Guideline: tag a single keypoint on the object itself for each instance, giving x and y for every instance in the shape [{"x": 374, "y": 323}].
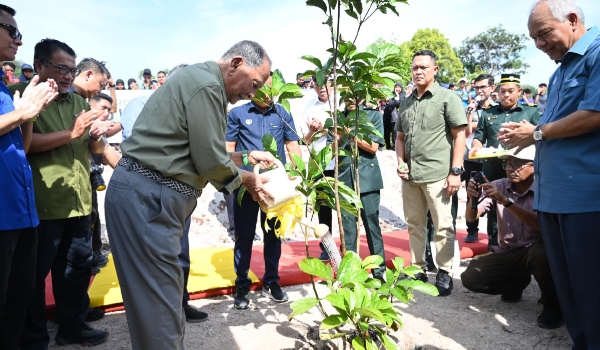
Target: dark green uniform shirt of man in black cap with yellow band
[{"x": 489, "y": 126}]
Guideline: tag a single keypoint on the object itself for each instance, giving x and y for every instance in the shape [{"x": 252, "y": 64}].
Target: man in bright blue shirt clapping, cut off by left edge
[{"x": 18, "y": 215}]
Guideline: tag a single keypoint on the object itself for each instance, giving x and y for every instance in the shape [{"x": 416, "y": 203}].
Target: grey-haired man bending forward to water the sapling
[{"x": 176, "y": 147}]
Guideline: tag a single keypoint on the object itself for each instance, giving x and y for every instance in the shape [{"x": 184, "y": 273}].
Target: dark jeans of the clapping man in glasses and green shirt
[{"x": 65, "y": 247}]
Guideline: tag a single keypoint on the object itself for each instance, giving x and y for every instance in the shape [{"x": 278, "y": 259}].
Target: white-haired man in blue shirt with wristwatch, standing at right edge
[{"x": 567, "y": 167}]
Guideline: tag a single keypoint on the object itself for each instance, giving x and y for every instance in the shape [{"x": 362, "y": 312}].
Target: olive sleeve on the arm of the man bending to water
[{"x": 207, "y": 148}]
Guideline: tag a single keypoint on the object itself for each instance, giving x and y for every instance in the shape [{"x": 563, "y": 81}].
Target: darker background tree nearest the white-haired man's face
[{"x": 494, "y": 51}]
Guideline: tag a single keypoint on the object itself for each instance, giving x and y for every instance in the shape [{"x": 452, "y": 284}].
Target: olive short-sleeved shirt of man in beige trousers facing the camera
[{"x": 426, "y": 124}]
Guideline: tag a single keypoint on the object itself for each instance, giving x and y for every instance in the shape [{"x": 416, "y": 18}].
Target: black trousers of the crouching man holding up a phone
[{"x": 510, "y": 273}]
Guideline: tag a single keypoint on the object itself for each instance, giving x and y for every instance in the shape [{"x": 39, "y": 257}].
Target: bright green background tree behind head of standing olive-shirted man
[{"x": 451, "y": 67}]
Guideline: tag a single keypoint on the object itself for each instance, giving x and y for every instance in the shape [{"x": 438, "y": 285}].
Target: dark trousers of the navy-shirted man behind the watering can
[{"x": 245, "y": 225}]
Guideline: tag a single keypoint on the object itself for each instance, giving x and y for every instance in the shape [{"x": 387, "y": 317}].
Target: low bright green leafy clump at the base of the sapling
[{"x": 362, "y": 302}]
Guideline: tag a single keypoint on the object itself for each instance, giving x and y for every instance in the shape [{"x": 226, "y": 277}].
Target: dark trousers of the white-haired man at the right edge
[{"x": 572, "y": 243}]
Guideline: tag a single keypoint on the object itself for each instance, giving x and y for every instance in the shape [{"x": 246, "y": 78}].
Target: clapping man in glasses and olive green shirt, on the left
[{"x": 63, "y": 137}]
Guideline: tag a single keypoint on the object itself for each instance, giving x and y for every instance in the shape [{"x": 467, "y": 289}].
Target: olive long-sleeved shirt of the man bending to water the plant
[{"x": 181, "y": 130}]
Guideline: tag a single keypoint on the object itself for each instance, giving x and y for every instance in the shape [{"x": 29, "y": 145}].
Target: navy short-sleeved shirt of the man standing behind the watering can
[{"x": 246, "y": 126}]
